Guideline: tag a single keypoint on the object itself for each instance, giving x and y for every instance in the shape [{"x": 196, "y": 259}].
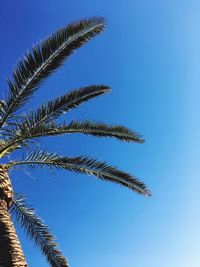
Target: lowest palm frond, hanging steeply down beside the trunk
[{"x": 34, "y": 227}]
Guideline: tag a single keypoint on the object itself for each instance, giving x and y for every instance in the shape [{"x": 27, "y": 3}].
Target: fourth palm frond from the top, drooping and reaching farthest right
[{"x": 84, "y": 165}]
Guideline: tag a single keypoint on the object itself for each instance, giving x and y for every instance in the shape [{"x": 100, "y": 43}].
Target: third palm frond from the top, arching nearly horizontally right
[{"x": 28, "y": 132}]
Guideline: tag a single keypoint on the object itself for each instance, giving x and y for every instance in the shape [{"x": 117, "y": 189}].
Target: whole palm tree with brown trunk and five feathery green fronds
[{"x": 19, "y": 131}]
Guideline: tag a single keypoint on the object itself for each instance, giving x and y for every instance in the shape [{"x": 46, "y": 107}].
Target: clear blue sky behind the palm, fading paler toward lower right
[{"x": 150, "y": 56}]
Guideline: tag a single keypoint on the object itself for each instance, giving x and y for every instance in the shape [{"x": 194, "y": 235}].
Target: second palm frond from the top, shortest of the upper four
[{"x": 35, "y": 121}]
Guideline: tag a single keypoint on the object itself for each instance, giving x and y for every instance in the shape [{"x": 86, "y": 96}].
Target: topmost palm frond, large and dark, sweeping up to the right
[{"x": 44, "y": 59}]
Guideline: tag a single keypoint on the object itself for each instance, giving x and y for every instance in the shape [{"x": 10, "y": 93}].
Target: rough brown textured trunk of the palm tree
[{"x": 11, "y": 254}]
